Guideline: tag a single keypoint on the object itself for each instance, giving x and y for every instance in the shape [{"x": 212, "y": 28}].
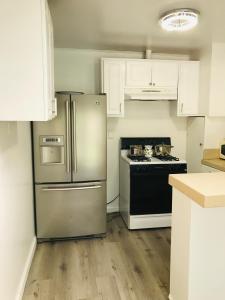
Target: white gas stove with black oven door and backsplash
[{"x": 145, "y": 195}]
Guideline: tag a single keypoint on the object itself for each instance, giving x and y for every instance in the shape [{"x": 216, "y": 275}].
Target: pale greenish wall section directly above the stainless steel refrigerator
[{"x": 79, "y": 70}]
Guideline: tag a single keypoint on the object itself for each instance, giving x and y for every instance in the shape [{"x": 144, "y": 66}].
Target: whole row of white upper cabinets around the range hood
[{"x": 119, "y": 75}]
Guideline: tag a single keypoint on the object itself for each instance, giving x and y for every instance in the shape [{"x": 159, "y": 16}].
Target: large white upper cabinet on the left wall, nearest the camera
[{"x": 26, "y": 59}]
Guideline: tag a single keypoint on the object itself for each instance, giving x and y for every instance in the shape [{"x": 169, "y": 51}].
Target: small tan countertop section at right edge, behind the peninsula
[{"x": 211, "y": 159}]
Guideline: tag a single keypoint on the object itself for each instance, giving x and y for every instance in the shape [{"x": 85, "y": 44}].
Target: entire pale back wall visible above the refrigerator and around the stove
[{"x": 79, "y": 70}]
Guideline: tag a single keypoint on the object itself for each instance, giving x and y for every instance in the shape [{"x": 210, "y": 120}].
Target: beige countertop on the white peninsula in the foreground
[{"x": 206, "y": 189}]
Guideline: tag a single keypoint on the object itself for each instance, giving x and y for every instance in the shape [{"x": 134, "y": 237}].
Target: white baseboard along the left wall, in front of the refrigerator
[{"x": 27, "y": 266}]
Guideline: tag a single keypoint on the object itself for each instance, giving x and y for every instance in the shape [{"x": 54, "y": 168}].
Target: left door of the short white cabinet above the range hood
[{"x": 138, "y": 73}]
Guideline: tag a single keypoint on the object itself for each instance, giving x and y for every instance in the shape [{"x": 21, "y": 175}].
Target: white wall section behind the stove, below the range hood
[{"x": 143, "y": 119}]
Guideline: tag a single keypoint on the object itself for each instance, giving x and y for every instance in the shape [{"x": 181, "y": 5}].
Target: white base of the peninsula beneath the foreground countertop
[{"x": 197, "y": 264}]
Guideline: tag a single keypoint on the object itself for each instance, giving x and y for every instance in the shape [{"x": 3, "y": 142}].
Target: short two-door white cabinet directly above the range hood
[{"x": 148, "y": 73}]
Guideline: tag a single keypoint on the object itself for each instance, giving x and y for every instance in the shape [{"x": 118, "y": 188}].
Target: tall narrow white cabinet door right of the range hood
[{"x": 188, "y": 89}]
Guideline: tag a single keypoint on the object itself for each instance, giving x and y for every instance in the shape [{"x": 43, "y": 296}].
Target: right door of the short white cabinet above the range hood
[{"x": 165, "y": 73}]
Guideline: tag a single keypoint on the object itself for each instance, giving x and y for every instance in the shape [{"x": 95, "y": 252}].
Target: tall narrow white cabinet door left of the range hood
[{"x": 113, "y": 77}]
